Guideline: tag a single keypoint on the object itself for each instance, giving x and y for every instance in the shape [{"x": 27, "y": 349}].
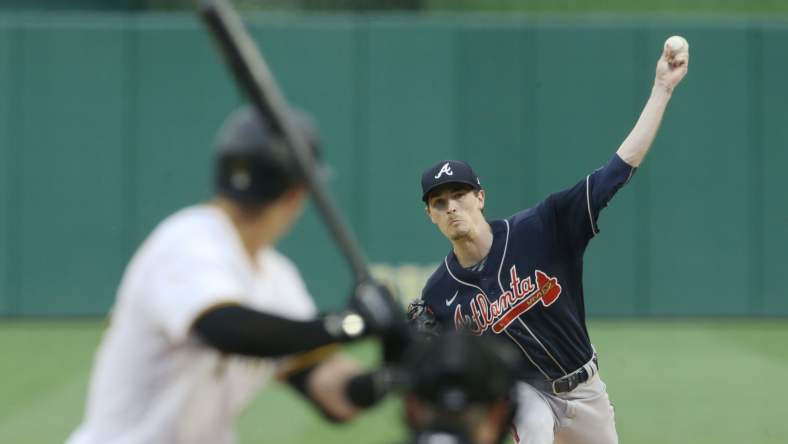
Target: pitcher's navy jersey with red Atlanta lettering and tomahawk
[{"x": 530, "y": 288}]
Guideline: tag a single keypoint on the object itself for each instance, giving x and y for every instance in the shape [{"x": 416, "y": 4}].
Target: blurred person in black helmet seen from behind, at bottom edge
[{"x": 460, "y": 390}]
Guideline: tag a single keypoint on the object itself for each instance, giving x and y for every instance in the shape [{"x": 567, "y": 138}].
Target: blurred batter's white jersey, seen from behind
[{"x": 152, "y": 381}]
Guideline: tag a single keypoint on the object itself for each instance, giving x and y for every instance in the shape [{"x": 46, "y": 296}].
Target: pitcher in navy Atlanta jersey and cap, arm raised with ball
[{"x": 520, "y": 278}]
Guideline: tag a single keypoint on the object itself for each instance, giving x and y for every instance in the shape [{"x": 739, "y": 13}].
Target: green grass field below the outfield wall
[{"x": 685, "y": 381}]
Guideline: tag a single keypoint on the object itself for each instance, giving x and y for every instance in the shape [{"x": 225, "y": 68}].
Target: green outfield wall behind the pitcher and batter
[{"x": 107, "y": 123}]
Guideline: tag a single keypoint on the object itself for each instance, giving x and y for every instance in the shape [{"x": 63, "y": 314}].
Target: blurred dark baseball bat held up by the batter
[{"x": 259, "y": 85}]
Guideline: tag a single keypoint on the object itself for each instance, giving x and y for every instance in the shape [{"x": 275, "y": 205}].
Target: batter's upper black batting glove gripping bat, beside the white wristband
[{"x": 383, "y": 316}]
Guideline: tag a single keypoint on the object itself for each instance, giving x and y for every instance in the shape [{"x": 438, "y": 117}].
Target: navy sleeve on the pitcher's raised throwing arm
[{"x": 577, "y": 209}]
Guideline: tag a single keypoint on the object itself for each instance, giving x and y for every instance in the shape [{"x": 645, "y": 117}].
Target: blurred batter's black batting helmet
[{"x": 253, "y": 165}]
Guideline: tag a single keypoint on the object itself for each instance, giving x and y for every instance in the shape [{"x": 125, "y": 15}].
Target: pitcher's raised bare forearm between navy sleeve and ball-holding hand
[{"x": 638, "y": 142}]
